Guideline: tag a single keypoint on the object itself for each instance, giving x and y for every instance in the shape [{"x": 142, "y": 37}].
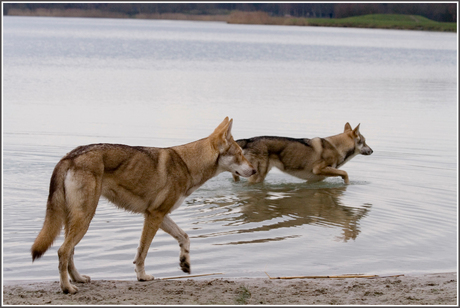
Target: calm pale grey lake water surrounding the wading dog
[{"x": 74, "y": 81}]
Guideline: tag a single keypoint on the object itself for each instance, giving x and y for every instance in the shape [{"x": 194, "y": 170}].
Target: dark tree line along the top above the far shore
[{"x": 443, "y": 12}]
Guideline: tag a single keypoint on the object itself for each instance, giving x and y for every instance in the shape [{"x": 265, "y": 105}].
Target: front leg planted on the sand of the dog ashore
[{"x": 152, "y": 222}]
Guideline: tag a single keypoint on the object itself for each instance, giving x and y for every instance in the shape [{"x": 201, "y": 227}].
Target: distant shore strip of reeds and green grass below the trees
[{"x": 379, "y": 21}]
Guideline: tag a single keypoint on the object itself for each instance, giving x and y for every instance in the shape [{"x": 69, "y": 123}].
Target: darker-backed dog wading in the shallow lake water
[{"x": 309, "y": 159}]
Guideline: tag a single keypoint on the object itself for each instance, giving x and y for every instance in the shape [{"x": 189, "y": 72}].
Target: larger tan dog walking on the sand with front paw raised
[{"x": 146, "y": 180}]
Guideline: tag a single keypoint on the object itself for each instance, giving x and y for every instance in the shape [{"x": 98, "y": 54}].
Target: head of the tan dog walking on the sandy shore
[{"x": 231, "y": 156}]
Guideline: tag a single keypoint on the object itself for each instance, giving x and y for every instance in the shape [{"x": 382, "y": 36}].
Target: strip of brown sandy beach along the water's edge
[{"x": 427, "y": 289}]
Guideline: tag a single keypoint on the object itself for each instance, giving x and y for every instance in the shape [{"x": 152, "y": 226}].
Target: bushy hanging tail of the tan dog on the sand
[{"x": 55, "y": 212}]
